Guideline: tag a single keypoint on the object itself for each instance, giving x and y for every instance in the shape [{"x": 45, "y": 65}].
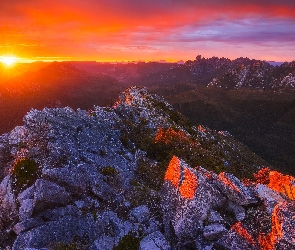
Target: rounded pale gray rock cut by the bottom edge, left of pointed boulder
[{"x": 154, "y": 241}]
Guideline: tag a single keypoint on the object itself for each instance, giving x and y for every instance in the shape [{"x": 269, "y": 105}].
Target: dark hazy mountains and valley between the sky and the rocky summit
[{"x": 256, "y": 112}]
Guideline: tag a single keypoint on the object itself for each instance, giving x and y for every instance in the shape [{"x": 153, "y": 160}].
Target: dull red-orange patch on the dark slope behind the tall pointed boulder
[{"x": 169, "y": 134}]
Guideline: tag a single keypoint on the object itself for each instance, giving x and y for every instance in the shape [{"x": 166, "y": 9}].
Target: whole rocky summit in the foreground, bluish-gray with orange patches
[{"x": 137, "y": 176}]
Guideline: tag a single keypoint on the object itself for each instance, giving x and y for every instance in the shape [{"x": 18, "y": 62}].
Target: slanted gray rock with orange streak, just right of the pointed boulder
[{"x": 234, "y": 189}]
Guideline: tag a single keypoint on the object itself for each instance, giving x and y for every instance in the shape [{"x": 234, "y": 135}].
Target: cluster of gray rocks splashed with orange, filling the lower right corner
[{"x": 190, "y": 213}]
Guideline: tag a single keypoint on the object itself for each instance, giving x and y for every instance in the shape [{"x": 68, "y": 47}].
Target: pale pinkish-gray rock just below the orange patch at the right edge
[{"x": 270, "y": 197}]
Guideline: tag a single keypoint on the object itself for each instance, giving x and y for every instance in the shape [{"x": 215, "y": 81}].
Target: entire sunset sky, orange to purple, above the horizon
[{"x": 117, "y": 30}]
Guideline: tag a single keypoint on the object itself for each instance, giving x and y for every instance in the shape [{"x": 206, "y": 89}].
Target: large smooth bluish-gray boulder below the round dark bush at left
[{"x": 49, "y": 195}]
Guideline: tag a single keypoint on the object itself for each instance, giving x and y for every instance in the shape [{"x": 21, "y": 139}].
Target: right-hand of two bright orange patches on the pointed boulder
[{"x": 189, "y": 185}]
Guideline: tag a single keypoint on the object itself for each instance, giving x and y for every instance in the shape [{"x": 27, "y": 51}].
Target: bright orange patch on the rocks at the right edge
[{"x": 284, "y": 184}]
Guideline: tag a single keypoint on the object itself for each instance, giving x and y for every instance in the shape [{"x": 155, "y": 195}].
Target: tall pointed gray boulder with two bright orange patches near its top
[{"x": 188, "y": 196}]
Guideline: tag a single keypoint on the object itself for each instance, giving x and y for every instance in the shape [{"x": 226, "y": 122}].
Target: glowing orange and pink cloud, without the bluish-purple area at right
[{"x": 85, "y": 29}]
